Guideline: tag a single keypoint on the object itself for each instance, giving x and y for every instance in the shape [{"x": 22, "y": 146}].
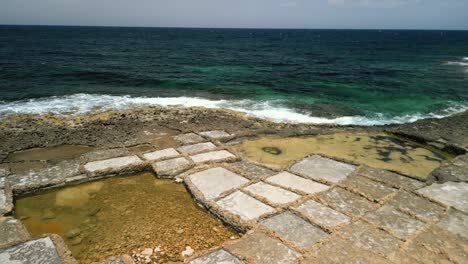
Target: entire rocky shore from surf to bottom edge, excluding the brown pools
[{"x": 193, "y": 145}]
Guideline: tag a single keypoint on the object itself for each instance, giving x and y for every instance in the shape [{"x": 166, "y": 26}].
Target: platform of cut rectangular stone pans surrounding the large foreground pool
[{"x": 316, "y": 209}]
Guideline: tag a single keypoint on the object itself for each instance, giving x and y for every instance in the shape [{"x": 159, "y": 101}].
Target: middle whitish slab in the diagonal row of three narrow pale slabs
[{"x": 273, "y": 194}]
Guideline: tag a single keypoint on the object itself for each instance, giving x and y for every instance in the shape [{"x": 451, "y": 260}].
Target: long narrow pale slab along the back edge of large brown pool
[{"x": 112, "y": 165}]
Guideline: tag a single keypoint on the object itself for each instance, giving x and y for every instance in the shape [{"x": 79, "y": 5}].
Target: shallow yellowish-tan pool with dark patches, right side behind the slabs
[{"x": 375, "y": 150}]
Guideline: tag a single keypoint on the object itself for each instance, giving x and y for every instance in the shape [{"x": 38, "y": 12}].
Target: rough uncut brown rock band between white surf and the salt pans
[{"x": 123, "y": 128}]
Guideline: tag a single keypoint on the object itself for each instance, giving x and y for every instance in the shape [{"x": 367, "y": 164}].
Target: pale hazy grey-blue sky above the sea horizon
[{"x": 348, "y": 14}]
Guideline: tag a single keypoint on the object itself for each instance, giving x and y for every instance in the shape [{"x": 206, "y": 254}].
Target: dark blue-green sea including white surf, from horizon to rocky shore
[{"x": 338, "y": 76}]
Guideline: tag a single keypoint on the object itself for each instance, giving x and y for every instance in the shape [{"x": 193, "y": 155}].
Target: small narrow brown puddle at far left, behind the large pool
[{"x": 49, "y": 153}]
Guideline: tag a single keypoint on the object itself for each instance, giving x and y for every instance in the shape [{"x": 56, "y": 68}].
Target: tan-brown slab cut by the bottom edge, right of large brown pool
[{"x": 263, "y": 249}]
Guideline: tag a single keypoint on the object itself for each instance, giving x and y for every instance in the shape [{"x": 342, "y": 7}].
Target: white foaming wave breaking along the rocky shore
[{"x": 85, "y": 103}]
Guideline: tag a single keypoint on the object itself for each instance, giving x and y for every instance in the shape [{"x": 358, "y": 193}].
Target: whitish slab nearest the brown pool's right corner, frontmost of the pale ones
[{"x": 244, "y": 206}]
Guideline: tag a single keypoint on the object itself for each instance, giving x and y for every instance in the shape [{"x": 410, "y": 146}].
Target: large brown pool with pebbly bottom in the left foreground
[{"x": 119, "y": 215}]
